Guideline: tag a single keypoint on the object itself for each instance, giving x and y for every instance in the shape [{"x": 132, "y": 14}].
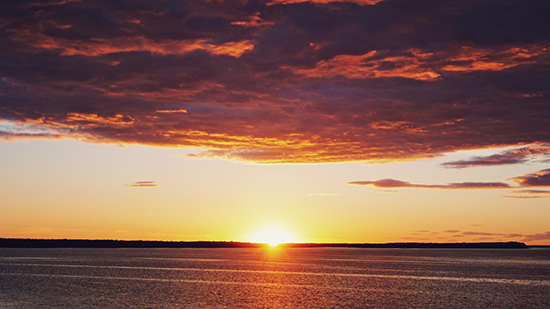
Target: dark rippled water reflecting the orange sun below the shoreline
[{"x": 274, "y": 278}]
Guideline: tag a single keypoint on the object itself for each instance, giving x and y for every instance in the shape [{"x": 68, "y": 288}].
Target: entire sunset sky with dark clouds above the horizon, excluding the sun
[{"x": 331, "y": 121}]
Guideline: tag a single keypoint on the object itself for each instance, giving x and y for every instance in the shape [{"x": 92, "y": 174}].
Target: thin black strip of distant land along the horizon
[{"x": 109, "y": 243}]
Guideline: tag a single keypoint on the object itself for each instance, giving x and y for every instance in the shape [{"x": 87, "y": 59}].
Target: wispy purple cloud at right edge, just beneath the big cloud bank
[{"x": 508, "y": 157}]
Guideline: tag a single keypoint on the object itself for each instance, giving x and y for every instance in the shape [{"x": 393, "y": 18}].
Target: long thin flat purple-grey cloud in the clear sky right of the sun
[{"x": 392, "y": 183}]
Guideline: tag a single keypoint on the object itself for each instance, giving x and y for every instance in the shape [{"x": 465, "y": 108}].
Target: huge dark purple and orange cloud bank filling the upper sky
[{"x": 280, "y": 81}]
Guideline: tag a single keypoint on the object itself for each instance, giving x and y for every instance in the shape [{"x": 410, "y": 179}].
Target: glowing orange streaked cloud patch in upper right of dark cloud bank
[{"x": 424, "y": 66}]
